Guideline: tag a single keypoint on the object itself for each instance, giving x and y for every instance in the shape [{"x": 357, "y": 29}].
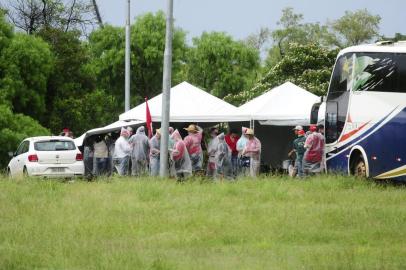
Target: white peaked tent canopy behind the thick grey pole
[{"x": 188, "y": 104}]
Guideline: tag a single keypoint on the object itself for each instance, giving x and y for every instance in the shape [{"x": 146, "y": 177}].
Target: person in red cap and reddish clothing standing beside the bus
[{"x": 313, "y": 156}]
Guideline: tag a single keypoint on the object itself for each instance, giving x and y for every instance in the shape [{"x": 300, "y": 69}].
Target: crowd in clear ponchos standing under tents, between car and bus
[{"x": 227, "y": 156}]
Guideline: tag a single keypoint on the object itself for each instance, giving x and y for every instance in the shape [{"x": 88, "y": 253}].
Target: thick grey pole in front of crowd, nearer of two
[{"x": 166, "y": 88}]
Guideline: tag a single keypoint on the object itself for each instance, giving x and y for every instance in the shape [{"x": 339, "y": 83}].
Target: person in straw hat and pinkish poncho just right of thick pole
[{"x": 193, "y": 144}]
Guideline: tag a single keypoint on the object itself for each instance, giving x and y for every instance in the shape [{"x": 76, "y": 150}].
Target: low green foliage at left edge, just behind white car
[{"x": 13, "y": 129}]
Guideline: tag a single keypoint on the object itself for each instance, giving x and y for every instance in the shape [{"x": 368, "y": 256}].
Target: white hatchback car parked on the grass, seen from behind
[{"x": 48, "y": 156}]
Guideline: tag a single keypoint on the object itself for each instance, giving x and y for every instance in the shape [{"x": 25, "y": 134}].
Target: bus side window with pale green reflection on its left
[{"x": 374, "y": 72}]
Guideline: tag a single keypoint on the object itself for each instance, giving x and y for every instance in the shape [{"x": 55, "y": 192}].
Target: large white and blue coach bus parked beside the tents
[{"x": 365, "y": 112}]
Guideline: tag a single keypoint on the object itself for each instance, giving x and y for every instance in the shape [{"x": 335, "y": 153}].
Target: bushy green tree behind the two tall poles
[{"x": 147, "y": 48}]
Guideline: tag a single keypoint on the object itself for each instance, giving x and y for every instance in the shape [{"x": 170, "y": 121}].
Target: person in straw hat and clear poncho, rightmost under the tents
[{"x": 253, "y": 150}]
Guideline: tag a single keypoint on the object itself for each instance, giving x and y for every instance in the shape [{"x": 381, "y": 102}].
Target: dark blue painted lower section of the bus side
[{"x": 387, "y": 145}]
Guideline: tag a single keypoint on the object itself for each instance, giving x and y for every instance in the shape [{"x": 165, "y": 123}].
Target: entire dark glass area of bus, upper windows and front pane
[{"x": 361, "y": 71}]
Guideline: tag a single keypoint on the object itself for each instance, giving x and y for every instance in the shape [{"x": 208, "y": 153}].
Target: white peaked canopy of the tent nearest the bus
[{"x": 285, "y": 105}]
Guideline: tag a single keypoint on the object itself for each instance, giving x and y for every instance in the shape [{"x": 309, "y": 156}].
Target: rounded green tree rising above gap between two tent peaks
[{"x": 221, "y": 65}]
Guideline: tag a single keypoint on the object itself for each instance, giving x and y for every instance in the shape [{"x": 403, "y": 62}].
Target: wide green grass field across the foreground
[{"x": 329, "y": 222}]
